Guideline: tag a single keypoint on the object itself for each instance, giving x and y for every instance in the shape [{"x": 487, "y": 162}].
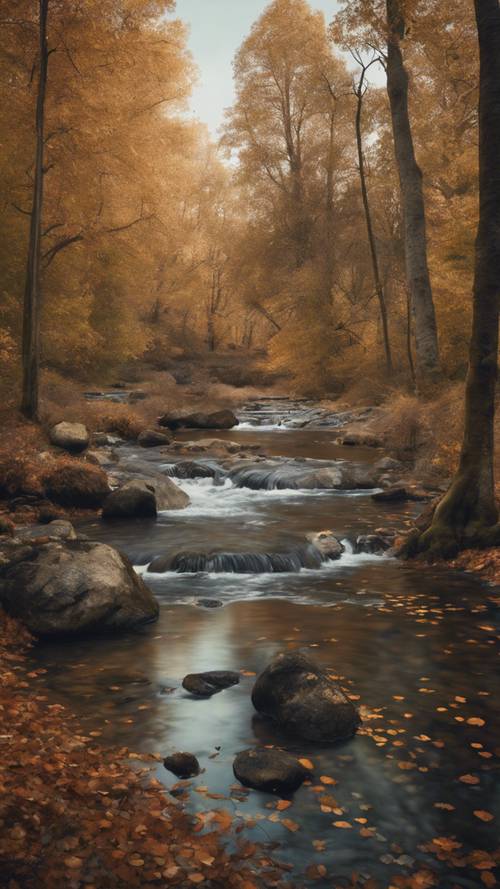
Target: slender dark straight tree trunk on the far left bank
[{"x": 31, "y": 313}]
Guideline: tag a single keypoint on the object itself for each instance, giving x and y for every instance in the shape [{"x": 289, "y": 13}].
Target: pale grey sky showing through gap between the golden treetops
[{"x": 218, "y": 27}]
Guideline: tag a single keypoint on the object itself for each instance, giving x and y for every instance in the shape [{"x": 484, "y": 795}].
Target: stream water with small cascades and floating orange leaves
[{"x": 417, "y": 648}]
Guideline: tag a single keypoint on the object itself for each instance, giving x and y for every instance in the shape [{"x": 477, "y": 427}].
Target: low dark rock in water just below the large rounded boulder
[{"x": 270, "y": 770}]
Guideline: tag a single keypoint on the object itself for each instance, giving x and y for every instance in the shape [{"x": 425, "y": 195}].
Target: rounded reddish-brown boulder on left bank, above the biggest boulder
[{"x": 76, "y": 484}]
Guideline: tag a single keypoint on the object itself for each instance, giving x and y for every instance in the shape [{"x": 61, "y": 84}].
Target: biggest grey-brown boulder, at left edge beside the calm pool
[{"x": 70, "y": 588}]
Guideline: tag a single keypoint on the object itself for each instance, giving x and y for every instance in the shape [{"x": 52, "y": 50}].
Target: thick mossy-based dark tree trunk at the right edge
[{"x": 468, "y": 514}]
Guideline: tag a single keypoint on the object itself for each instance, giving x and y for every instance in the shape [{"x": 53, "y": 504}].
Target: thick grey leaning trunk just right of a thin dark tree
[{"x": 412, "y": 199}]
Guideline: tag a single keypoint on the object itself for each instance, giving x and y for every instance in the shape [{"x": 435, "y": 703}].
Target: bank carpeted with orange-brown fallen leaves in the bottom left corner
[{"x": 74, "y": 813}]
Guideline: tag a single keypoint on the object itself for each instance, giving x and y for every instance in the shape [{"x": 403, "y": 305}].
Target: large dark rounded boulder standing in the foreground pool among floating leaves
[{"x": 302, "y": 698}]
